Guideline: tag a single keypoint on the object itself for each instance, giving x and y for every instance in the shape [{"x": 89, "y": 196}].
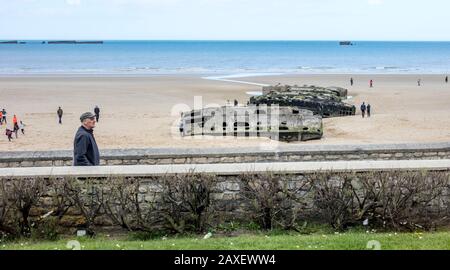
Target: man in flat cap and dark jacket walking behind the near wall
[{"x": 85, "y": 152}]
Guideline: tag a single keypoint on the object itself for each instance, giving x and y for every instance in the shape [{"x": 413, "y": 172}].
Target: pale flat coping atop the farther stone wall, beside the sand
[{"x": 109, "y": 154}]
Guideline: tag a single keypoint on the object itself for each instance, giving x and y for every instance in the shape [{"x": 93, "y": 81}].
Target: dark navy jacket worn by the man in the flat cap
[{"x": 85, "y": 150}]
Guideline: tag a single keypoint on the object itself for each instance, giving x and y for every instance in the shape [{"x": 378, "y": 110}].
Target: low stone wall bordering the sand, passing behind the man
[{"x": 284, "y": 153}]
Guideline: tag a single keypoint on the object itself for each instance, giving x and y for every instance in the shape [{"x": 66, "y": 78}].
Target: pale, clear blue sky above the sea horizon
[{"x": 415, "y": 20}]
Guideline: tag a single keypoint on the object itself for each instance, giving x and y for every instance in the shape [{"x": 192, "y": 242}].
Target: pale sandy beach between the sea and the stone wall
[{"x": 136, "y": 111}]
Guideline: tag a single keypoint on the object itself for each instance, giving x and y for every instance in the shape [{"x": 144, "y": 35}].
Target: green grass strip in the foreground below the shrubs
[{"x": 258, "y": 241}]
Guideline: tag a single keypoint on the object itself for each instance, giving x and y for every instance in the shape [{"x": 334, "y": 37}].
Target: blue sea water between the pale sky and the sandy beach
[{"x": 227, "y": 57}]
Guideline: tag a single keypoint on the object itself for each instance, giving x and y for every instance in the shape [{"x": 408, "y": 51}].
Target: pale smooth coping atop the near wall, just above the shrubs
[{"x": 225, "y": 169}]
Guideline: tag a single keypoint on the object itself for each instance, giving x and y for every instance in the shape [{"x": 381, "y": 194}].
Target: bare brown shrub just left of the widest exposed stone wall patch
[{"x": 186, "y": 204}]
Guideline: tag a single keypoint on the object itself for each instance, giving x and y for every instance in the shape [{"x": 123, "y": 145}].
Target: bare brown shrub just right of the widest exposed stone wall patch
[{"x": 270, "y": 199}]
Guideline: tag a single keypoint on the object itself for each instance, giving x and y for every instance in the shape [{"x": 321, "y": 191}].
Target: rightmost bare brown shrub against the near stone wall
[{"x": 410, "y": 200}]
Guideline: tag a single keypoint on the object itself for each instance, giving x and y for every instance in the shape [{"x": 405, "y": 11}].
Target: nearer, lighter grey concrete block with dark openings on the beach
[{"x": 277, "y": 123}]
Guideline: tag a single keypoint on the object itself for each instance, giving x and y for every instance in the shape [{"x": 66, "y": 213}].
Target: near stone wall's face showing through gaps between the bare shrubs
[{"x": 226, "y": 193}]
